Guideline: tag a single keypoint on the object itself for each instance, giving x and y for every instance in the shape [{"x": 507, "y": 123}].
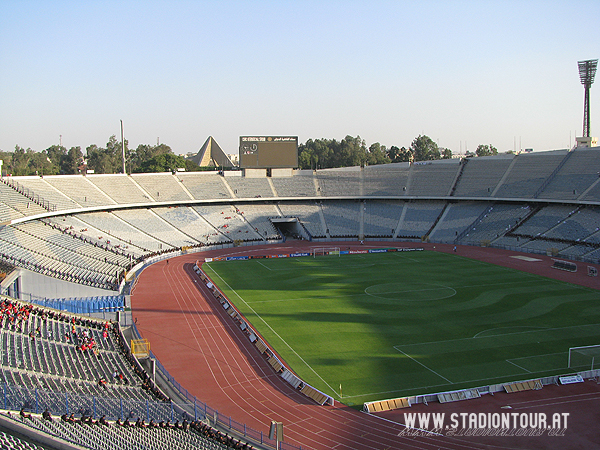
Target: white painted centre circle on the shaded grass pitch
[{"x": 410, "y": 291}]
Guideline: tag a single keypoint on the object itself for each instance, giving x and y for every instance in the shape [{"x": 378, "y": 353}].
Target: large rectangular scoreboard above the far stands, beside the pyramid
[{"x": 266, "y": 152}]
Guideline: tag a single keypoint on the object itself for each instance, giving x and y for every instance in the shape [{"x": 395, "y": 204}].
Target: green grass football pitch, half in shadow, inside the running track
[{"x": 387, "y": 325}]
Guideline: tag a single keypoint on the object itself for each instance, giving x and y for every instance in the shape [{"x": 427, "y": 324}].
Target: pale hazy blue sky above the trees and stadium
[{"x": 461, "y": 72}]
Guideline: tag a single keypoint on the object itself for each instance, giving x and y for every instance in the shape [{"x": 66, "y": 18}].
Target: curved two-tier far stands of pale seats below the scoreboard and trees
[{"x": 93, "y": 247}]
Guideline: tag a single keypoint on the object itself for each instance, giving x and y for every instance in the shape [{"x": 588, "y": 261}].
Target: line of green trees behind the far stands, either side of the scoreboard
[{"x": 313, "y": 154}]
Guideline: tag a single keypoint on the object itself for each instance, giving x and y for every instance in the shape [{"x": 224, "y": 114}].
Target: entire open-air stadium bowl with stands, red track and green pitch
[{"x": 163, "y": 297}]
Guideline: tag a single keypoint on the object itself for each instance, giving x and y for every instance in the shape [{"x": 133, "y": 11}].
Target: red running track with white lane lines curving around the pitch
[{"x": 199, "y": 344}]
